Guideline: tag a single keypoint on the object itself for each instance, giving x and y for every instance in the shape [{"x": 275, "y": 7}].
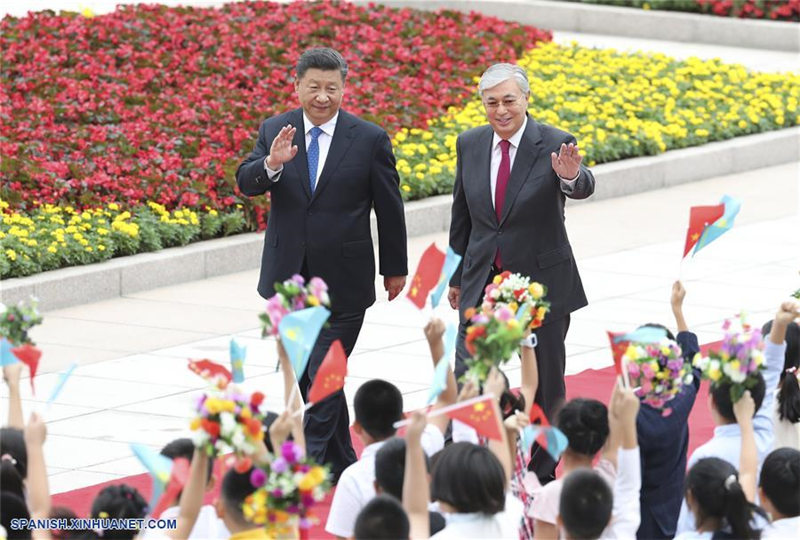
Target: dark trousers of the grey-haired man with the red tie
[{"x": 551, "y": 361}]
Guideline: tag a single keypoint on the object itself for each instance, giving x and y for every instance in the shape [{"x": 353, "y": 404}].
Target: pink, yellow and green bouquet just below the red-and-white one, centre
[{"x": 493, "y": 335}]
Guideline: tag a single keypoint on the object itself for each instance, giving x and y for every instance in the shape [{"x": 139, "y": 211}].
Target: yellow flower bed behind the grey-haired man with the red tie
[{"x": 618, "y": 105}]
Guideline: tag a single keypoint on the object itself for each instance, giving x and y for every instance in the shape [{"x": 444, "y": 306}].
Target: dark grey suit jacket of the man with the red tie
[{"x": 531, "y": 233}]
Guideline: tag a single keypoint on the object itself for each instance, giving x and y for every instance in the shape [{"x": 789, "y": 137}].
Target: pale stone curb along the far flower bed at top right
[{"x": 627, "y": 22}]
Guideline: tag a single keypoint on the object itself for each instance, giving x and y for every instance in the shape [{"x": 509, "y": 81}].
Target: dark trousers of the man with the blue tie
[{"x": 327, "y": 424}]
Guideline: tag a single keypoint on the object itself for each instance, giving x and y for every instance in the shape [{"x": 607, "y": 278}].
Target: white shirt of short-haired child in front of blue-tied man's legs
[{"x": 356, "y": 486}]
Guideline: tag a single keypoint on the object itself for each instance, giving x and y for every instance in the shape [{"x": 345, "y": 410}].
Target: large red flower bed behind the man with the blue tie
[{"x": 158, "y": 103}]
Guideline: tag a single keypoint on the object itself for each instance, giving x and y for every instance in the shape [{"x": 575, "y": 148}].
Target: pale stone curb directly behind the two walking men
[{"x": 125, "y": 275}]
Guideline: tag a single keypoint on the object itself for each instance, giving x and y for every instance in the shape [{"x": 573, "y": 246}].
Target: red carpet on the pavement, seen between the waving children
[{"x": 591, "y": 383}]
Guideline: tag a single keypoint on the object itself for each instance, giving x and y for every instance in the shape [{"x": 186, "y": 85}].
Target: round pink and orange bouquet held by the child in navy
[{"x": 659, "y": 371}]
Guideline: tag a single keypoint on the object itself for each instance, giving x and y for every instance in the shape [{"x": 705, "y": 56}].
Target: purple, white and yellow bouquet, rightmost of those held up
[{"x": 738, "y": 361}]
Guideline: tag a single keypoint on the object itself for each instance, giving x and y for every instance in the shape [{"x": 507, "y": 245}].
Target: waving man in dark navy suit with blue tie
[{"x": 325, "y": 170}]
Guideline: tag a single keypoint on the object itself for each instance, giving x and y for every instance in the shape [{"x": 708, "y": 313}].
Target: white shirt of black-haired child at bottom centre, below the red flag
[{"x": 504, "y": 524}]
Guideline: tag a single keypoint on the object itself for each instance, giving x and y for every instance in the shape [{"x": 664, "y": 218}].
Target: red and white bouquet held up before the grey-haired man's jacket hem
[{"x": 517, "y": 292}]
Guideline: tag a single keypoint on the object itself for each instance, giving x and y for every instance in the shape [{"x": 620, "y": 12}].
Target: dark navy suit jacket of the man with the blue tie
[{"x": 330, "y": 230}]
